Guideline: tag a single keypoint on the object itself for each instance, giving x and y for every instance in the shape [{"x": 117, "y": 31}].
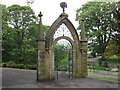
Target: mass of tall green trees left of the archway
[{"x": 19, "y": 30}]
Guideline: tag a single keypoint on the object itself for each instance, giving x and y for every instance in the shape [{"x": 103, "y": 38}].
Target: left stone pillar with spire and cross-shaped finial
[{"x": 41, "y": 52}]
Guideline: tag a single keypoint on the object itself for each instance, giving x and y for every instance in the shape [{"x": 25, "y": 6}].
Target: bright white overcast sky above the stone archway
[{"x": 50, "y": 8}]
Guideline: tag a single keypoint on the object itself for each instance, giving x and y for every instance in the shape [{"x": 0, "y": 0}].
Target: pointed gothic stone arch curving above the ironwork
[{"x": 63, "y": 18}]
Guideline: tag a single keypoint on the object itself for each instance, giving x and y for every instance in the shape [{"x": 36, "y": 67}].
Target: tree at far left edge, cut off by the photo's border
[{"x": 5, "y": 32}]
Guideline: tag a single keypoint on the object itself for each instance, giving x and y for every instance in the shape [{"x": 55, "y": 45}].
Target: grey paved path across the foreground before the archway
[{"x": 16, "y": 78}]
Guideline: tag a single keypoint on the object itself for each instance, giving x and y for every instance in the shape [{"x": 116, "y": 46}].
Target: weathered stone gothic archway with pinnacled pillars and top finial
[{"x": 45, "y": 62}]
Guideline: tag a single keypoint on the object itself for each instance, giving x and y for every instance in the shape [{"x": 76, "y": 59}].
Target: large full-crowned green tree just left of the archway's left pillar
[{"x": 21, "y": 37}]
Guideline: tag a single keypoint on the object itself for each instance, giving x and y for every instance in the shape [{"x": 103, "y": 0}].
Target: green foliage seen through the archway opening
[{"x": 62, "y": 57}]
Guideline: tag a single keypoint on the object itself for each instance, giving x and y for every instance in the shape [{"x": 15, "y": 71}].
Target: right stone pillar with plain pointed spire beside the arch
[{"x": 83, "y": 51}]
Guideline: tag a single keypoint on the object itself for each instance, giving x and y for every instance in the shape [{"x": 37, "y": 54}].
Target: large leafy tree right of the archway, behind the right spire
[{"x": 98, "y": 18}]
